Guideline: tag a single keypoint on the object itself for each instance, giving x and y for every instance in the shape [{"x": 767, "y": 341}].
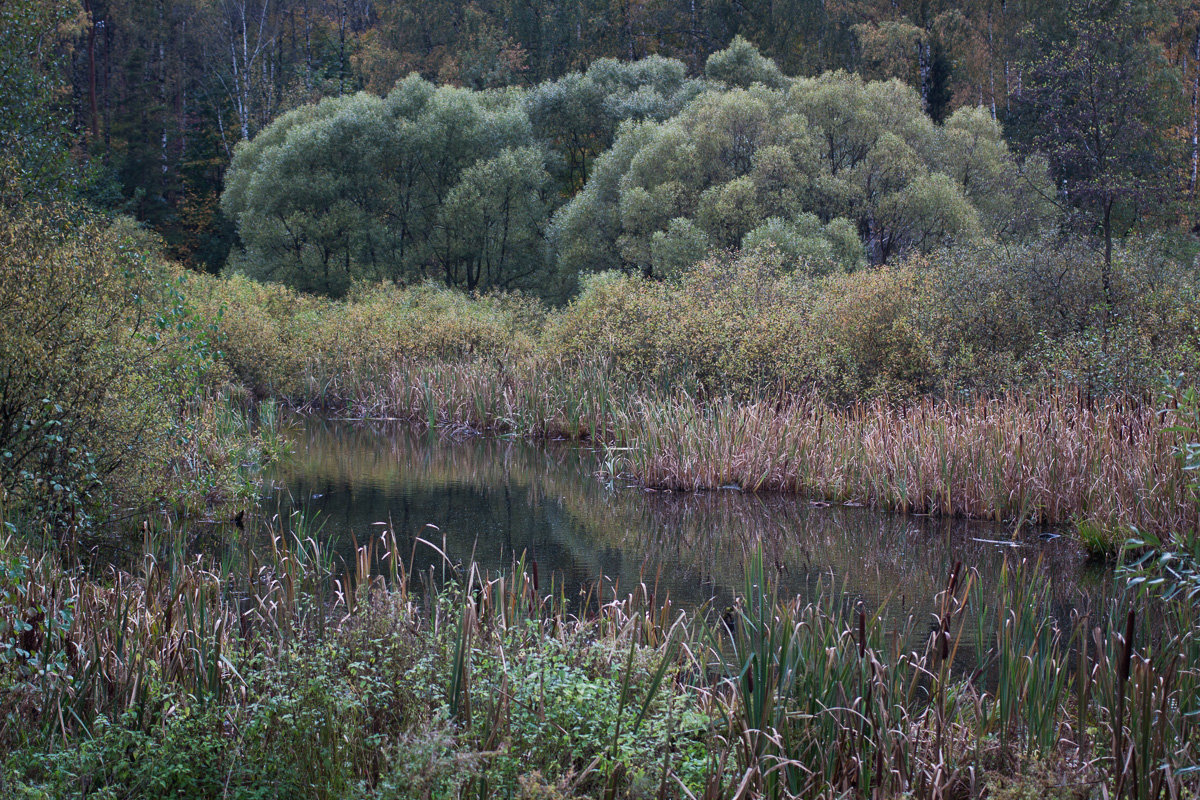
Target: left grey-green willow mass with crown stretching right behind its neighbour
[{"x": 429, "y": 182}]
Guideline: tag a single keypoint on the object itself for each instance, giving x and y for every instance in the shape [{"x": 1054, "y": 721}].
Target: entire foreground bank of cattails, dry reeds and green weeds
[{"x": 309, "y": 678}]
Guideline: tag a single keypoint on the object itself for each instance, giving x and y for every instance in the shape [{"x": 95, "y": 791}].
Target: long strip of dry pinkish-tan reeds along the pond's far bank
[{"x": 1053, "y": 459}]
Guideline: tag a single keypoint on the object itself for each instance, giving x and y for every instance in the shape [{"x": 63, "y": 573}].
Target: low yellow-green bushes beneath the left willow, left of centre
[{"x": 286, "y": 345}]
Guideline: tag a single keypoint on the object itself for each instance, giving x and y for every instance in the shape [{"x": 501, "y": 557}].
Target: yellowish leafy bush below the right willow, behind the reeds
[{"x": 741, "y": 326}]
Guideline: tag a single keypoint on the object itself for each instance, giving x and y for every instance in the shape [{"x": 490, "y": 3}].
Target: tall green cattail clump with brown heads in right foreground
[{"x": 821, "y": 701}]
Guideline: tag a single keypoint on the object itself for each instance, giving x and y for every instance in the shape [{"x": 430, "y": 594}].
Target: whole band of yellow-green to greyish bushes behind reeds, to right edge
[{"x": 985, "y": 318}]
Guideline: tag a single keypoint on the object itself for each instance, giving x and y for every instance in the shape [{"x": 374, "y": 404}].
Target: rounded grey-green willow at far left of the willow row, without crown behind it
[{"x": 368, "y": 189}]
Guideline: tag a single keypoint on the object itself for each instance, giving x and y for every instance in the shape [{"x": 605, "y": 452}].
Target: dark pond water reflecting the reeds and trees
[{"x": 494, "y": 500}]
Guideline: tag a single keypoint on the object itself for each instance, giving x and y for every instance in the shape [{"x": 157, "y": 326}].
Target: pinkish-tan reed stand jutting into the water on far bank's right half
[{"x": 1049, "y": 460}]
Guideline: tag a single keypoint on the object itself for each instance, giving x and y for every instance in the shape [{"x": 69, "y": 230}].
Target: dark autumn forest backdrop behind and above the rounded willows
[{"x": 155, "y": 99}]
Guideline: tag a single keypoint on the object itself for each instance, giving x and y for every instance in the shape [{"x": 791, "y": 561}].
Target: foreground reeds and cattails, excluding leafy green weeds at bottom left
[{"x": 802, "y": 700}]
